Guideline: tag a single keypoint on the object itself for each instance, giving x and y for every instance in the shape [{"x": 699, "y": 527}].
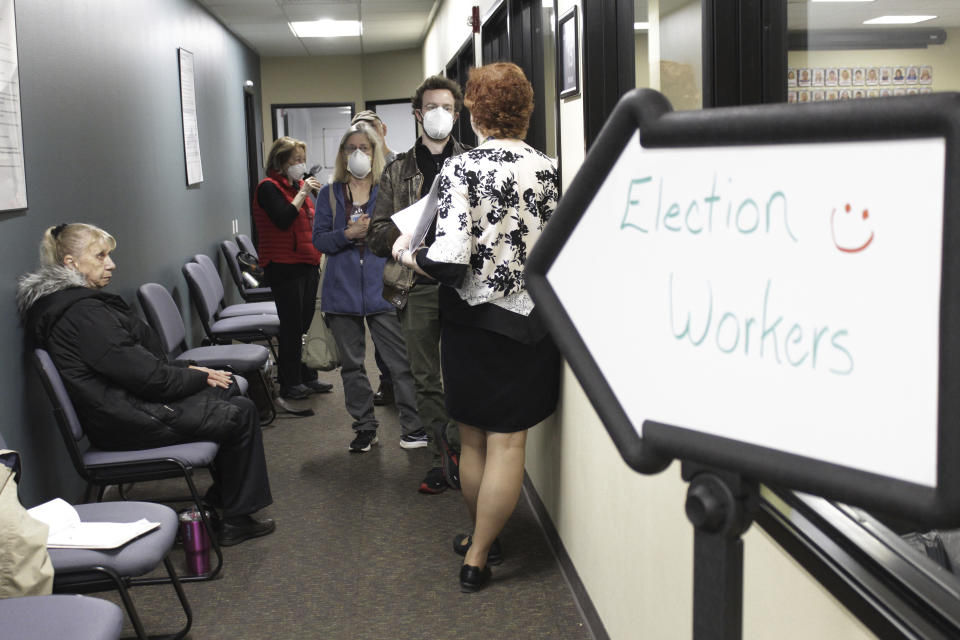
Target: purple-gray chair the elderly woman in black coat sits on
[{"x": 105, "y": 468}]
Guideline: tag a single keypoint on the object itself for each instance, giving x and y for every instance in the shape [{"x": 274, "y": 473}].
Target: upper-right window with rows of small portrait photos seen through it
[{"x": 853, "y": 50}]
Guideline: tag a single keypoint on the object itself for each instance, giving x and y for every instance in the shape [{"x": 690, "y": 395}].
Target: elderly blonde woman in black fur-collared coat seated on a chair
[{"x": 128, "y": 396}]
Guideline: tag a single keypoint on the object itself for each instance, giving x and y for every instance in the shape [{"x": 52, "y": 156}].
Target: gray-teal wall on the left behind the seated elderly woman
[{"x": 103, "y": 142}]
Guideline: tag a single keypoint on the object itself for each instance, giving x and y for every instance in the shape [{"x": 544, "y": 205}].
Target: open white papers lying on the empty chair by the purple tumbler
[{"x": 68, "y": 532}]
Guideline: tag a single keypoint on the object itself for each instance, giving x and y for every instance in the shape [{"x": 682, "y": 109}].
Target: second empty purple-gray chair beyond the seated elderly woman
[{"x": 251, "y": 328}]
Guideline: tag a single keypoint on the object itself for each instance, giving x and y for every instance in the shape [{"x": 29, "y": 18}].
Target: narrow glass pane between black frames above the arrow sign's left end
[{"x": 668, "y": 53}]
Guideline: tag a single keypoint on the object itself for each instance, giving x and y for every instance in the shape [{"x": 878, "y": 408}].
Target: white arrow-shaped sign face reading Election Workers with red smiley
[{"x": 783, "y": 295}]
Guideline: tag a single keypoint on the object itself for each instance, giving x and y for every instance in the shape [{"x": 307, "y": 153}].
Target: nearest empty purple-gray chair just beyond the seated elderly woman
[{"x": 162, "y": 314}]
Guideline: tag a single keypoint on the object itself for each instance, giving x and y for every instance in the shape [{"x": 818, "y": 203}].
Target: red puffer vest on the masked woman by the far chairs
[{"x": 292, "y": 245}]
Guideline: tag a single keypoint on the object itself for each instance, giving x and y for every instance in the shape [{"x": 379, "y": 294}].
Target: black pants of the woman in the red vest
[{"x": 295, "y": 292}]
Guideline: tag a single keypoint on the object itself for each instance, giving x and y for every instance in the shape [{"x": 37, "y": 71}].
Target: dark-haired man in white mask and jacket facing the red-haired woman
[{"x": 436, "y": 106}]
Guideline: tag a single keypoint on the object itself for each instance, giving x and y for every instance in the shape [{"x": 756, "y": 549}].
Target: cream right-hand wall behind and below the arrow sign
[{"x": 627, "y": 534}]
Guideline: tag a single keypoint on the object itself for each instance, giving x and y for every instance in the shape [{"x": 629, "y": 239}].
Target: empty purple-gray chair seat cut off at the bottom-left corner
[{"x": 58, "y": 617}]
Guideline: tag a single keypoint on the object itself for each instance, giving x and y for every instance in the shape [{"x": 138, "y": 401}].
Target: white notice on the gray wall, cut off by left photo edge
[{"x": 13, "y": 189}]
